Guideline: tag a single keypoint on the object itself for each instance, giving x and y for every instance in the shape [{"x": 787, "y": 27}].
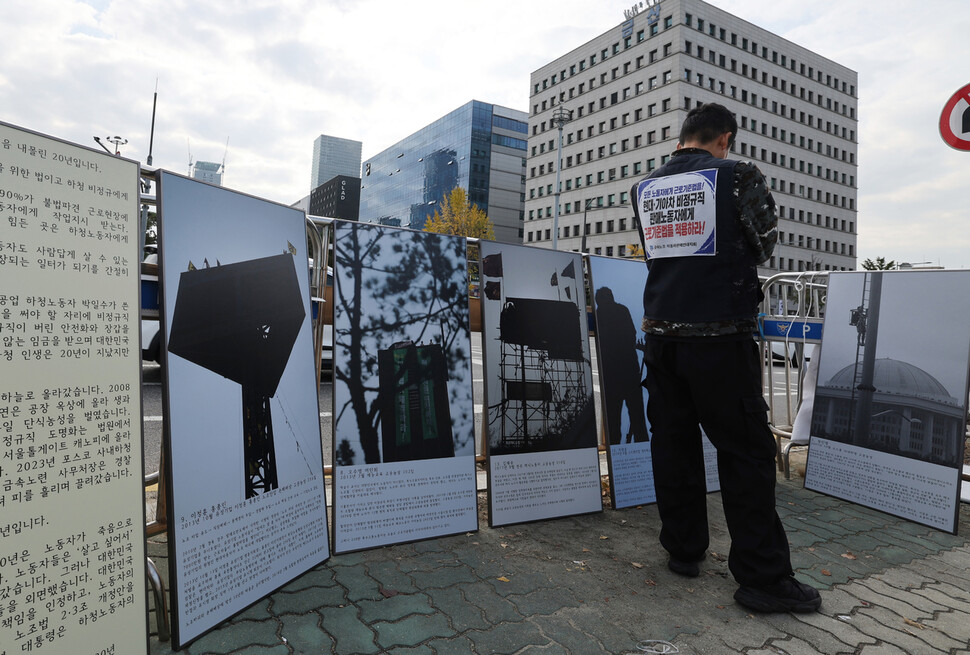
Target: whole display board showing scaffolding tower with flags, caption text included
[{"x": 539, "y": 412}]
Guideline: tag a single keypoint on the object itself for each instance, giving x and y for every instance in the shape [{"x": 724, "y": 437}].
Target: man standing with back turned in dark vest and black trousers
[{"x": 706, "y": 222}]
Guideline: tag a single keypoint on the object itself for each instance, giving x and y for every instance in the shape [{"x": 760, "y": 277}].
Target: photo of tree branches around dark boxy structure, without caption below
[{"x": 402, "y": 346}]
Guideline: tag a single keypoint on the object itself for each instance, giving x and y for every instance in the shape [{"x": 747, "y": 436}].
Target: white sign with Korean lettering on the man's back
[{"x": 677, "y": 214}]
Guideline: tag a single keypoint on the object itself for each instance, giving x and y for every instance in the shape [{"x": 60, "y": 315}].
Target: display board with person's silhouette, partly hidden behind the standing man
[{"x": 617, "y": 290}]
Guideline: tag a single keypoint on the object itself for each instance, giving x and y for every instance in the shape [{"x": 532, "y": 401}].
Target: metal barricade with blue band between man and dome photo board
[{"x": 791, "y": 328}]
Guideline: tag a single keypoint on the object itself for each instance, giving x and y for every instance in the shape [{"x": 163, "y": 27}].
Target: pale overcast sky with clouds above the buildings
[{"x": 270, "y": 76}]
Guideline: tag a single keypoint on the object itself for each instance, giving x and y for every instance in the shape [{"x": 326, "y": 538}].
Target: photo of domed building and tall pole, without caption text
[{"x": 893, "y": 368}]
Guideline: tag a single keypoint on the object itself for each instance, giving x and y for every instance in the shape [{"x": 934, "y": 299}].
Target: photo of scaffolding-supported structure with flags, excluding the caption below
[{"x": 535, "y": 340}]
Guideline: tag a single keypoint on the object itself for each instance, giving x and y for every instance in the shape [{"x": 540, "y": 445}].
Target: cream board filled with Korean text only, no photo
[{"x": 72, "y": 513}]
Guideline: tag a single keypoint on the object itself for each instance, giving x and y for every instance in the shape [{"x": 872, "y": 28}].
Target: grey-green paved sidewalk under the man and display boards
[{"x": 599, "y": 584}]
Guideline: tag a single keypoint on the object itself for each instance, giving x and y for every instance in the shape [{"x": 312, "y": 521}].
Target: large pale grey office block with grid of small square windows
[{"x": 629, "y": 90}]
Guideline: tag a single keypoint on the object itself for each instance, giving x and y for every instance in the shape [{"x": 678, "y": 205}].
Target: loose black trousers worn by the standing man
[{"x": 717, "y": 384}]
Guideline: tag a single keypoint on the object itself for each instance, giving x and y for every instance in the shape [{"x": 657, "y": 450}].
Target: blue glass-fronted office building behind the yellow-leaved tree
[{"x": 479, "y": 147}]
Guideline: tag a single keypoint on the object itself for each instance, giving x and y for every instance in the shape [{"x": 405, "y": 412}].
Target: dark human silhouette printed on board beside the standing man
[{"x": 622, "y": 369}]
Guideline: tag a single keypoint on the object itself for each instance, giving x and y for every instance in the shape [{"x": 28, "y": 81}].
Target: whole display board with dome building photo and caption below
[{"x": 889, "y": 418}]
